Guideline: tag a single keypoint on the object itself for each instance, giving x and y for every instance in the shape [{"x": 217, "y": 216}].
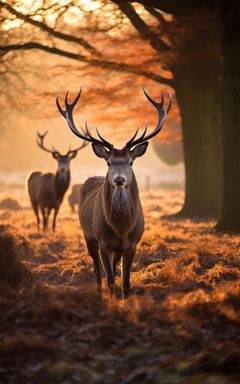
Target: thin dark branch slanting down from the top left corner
[{"x": 46, "y": 28}]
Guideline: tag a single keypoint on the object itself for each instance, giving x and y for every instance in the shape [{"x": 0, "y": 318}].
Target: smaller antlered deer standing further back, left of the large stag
[{"x": 46, "y": 190}]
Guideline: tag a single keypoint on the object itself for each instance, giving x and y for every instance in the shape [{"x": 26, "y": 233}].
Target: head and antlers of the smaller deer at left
[{"x": 62, "y": 160}]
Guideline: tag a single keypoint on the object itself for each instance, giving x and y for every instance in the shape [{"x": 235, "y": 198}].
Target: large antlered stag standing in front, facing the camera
[{"x": 110, "y": 210}]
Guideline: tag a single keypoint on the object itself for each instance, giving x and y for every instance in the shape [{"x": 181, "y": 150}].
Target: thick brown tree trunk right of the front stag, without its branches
[{"x": 196, "y": 74}]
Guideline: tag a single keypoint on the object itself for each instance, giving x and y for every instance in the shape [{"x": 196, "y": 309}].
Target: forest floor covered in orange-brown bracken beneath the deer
[{"x": 181, "y": 324}]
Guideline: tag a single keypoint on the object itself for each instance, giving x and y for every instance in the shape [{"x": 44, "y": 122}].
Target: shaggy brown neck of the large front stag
[{"x": 121, "y": 206}]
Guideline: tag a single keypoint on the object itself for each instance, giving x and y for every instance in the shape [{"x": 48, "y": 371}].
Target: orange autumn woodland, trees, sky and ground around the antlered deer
[{"x": 182, "y": 322}]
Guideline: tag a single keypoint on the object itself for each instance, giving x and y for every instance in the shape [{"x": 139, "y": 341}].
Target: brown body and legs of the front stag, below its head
[{"x": 112, "y": 222}]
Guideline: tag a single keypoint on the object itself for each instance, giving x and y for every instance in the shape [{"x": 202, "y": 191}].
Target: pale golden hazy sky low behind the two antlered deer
[{"x": 19, "y": 153}]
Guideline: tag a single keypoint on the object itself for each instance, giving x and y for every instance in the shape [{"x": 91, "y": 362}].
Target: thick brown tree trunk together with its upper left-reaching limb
[{"x": 193, "y": 59}]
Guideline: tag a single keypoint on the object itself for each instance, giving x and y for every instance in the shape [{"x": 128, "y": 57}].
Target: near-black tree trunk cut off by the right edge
[{"x": 230, "y": 216}]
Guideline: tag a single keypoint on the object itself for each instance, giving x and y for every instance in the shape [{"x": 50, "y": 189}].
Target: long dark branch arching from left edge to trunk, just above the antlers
[{"x": 105, "y": 64}]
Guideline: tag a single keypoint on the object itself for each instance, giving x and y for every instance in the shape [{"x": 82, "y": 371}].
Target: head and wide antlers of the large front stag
[{"x": 119, "y": 161}]
